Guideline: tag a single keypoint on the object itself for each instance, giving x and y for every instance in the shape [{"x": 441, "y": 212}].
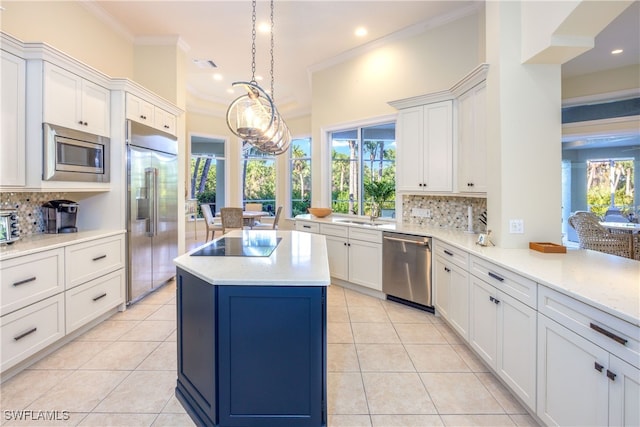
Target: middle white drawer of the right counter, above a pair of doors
[{"x": 517, "y": 286}]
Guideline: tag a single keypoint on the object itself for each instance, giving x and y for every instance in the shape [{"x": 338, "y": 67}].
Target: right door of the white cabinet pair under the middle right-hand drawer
[{"x": 516, "y": 361}]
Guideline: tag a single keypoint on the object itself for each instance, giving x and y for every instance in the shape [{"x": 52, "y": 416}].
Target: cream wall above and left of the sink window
[{"x": 360, "y": 88}]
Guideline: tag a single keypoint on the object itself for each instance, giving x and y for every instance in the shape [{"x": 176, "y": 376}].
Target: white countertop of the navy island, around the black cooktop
[{"x": 300, "y": 259}]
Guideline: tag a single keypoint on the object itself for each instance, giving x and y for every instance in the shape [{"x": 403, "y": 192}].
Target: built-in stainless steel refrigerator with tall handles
[{"x": 152, "y": 208}]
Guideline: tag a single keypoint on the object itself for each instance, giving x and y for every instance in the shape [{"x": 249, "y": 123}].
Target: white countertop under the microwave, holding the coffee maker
[{"x": 42, "y": 242}]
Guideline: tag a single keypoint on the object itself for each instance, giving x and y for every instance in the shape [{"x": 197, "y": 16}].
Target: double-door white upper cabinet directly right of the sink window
[{"x": 425, "y": 148}]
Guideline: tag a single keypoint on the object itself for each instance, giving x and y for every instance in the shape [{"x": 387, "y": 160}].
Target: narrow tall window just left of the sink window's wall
[{"x": 300, "y": 159}]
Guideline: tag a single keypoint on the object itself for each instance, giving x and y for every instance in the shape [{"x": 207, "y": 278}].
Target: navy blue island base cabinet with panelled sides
[{"x": 251, "y": 355}]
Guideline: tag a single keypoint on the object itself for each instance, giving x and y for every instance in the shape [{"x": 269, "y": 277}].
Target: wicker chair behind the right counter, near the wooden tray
[{"x": 594, "y": 236}]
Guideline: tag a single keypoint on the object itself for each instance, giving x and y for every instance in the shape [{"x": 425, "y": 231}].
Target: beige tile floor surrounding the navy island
[{"x": 388, "y": 365}]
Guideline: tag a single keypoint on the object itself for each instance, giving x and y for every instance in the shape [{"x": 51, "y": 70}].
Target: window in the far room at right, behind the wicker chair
[{"x": 610, "y": 185}]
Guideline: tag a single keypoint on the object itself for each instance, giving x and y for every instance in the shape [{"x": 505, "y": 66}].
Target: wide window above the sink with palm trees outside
[{"x": 363, "y": 169}]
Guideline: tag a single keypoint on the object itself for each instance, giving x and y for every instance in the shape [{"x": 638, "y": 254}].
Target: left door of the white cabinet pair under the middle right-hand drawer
[{"x": 483, "y": 320}]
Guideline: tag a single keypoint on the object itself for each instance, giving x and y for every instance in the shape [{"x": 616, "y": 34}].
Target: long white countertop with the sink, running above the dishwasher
[{"x": 607, "y": 282}]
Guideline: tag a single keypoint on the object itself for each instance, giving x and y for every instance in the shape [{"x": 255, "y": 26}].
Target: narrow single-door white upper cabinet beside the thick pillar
[{"x": 472, "y": 150}]
